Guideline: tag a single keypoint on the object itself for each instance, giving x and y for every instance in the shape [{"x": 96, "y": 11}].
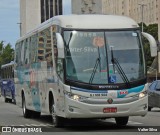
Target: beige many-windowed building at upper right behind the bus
[{"x": 146, "y": 10}]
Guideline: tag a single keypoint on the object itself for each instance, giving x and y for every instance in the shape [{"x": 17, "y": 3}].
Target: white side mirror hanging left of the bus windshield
[{"x": 60, "y": 45}]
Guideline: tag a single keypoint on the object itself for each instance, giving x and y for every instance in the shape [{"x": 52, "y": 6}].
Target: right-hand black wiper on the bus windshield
[{"x": 119, "y": 69}]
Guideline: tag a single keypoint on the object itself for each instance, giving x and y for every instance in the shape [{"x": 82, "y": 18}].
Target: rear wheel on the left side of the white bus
[{"x": 26, "y": 113}]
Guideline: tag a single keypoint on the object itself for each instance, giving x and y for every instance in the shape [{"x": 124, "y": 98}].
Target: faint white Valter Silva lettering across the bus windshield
[{"x": 83, "y": 50}]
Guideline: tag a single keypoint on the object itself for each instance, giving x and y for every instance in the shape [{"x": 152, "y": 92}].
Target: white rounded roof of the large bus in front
[{"x": 87, "y": 22}]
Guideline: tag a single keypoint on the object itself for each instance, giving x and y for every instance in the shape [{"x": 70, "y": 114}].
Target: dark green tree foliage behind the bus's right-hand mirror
[{"x": 153, "y": 30}]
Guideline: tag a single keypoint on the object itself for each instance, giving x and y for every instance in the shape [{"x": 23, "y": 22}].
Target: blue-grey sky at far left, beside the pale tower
[{"x": 9, "y": 17}]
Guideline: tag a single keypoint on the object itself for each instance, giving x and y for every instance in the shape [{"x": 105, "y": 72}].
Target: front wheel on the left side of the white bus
[{"x": 57, "y": 121}]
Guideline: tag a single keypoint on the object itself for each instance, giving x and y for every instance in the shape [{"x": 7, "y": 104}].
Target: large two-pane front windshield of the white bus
[{"x": 104, "y": 57}]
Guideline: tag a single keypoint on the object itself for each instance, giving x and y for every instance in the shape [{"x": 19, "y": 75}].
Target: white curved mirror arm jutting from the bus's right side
[{"x": 153, "y": 44}]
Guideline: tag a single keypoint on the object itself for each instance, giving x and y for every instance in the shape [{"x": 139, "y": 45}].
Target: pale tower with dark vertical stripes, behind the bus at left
[{"x": 34, "y": 12}]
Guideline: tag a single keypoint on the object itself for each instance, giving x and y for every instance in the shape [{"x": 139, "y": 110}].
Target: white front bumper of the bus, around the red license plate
[{"x": 77, "y": 109}]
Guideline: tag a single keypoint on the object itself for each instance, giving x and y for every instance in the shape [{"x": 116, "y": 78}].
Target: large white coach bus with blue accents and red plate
[{"x": 83, "y": 66}]
